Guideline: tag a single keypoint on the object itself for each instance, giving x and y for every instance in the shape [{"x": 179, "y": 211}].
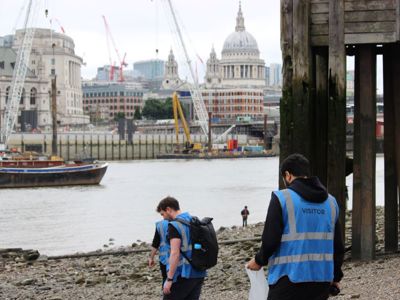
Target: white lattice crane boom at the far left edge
[{"x": 19, "y": 74}]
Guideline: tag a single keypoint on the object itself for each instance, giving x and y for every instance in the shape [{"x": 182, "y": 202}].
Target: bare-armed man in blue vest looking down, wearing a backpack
[{"x": 183, "y": 281}]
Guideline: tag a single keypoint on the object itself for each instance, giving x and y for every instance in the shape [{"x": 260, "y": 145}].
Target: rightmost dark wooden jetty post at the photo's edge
[{"x": 391, "y": 195}]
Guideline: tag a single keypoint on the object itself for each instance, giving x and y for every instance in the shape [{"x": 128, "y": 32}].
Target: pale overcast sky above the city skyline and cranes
[{"x": 139, "y": 27}]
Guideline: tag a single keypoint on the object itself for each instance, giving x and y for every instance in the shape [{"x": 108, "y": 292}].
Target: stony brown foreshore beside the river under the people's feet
[{"x": 123, "y": 273}]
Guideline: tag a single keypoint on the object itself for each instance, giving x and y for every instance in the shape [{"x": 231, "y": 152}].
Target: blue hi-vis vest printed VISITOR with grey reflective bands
[{"x": 306, "y": 250}]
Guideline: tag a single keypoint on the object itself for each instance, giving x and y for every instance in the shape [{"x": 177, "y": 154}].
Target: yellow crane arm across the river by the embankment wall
[{"x": 178, "y": 112}]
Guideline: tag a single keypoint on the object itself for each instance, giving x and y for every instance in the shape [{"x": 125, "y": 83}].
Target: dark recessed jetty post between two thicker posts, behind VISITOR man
[{"x": 320, "y": 113}]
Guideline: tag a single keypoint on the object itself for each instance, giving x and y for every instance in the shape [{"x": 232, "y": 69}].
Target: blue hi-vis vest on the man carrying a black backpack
[{"x": 185, "y": 269}]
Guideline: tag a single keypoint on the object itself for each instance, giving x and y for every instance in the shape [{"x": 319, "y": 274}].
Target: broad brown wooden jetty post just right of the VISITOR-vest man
[{"x": 363, "y": 241}]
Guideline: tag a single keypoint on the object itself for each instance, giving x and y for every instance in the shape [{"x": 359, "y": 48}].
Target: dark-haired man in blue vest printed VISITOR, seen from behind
[{"x": 301, "y": 242}]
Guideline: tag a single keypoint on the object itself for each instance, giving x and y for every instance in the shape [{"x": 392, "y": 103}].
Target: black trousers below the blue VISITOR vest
[{"x": 284, "y": 289}]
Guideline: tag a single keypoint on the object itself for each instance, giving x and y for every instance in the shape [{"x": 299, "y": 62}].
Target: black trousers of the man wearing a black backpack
[{"x": 185, "y": 289}]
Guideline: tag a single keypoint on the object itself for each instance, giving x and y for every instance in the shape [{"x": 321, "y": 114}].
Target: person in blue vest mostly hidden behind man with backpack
[{"x": 160, "y": 243}]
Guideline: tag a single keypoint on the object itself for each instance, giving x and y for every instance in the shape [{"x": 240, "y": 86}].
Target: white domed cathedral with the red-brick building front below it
[{"x": 234, "y": 84}]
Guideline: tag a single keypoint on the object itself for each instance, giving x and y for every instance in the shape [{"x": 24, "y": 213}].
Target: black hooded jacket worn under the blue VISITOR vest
[{"x": 312, "y": 190}]
